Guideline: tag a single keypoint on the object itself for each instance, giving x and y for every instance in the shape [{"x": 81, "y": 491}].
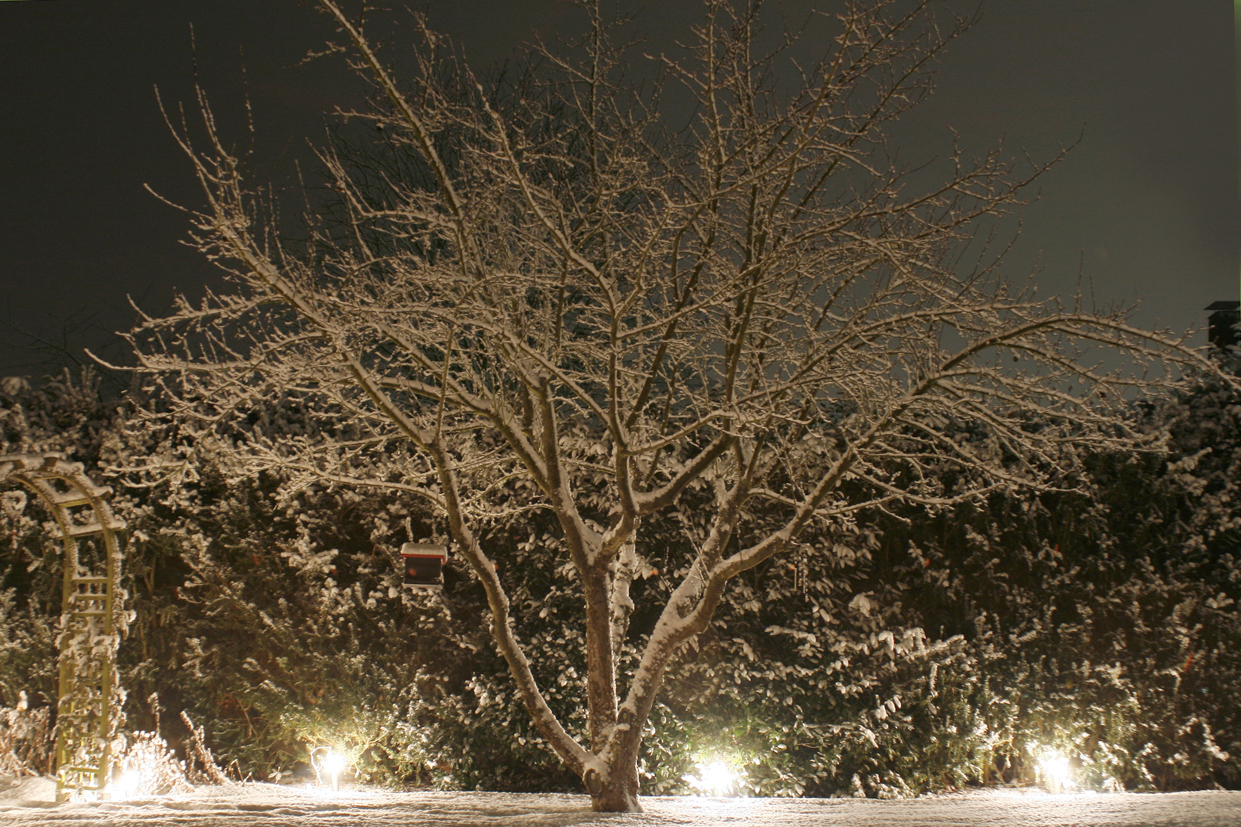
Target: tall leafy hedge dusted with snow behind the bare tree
[{"x": 910, "y": 651}]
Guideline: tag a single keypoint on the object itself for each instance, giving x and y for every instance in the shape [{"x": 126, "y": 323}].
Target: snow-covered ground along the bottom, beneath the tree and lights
[{"x": 30, "y": 804}]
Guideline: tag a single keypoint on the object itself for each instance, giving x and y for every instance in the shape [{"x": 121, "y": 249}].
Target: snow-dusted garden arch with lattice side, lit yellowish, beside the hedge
[{"x": 92, "y": 618}]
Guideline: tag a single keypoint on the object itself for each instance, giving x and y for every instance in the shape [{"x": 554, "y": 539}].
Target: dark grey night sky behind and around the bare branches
[{"x": 1146, "y": 208}]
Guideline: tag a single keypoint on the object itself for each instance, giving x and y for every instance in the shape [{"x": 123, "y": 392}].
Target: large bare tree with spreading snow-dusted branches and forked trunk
[{"x": 568, "y": 287}]
